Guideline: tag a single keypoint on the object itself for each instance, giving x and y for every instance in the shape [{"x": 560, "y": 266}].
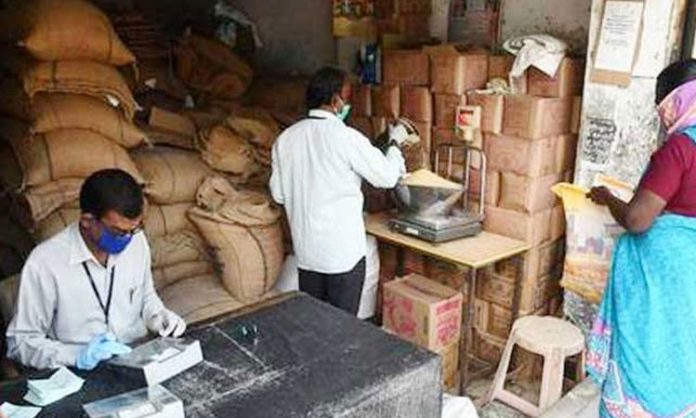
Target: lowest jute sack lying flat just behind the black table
[{"x": 199, "y": 298}]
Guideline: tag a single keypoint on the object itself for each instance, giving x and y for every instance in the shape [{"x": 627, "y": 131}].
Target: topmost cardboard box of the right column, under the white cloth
[{"x": 567, "y": 82}]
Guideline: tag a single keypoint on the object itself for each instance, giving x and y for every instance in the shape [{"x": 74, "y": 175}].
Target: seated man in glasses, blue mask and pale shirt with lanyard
[{"x": 88, "y": 290}]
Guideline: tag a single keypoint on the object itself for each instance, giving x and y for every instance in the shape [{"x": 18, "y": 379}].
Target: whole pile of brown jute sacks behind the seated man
[{"x": 74, "y": 115}]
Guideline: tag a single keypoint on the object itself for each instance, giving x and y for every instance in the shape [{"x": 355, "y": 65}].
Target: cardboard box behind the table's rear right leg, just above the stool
[{"x": 536, "y": 293}]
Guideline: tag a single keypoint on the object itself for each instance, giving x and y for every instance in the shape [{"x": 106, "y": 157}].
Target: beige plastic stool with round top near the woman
[{"x": 555, "y": 340}]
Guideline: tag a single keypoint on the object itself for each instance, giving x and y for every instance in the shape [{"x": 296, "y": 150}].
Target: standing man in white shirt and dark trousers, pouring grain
[{"x": 318, "y": 167}]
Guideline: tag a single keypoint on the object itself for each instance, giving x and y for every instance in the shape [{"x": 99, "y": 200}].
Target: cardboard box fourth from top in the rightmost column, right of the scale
[{"x": 528, "y": 194}]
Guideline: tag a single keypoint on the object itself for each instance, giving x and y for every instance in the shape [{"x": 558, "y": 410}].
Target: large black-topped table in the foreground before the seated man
[{"x": 309, "y": 359}]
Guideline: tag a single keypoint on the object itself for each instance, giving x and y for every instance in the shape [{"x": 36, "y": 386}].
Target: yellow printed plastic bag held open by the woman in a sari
[{"x": 591, "y": 236}]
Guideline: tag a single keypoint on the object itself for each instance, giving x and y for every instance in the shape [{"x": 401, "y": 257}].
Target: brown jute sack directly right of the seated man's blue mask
[{"x": 181, "y": 247}]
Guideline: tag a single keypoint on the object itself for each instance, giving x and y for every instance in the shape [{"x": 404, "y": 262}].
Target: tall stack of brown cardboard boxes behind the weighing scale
[{"x": 530, "y": 140}]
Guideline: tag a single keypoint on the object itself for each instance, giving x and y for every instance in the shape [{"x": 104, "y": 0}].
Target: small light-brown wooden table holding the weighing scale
[{"x": 473, "y": 253}]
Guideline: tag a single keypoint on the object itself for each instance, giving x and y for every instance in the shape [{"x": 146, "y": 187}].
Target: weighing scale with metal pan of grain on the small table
[{"x": 431, "y": 214}]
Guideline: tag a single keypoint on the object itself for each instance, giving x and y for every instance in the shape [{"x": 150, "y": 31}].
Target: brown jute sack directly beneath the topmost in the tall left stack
[{"x": 81, "y": 77}]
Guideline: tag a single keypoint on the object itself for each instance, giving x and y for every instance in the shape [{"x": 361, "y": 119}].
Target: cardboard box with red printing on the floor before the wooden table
[{"x": 423, "y": 311}]
